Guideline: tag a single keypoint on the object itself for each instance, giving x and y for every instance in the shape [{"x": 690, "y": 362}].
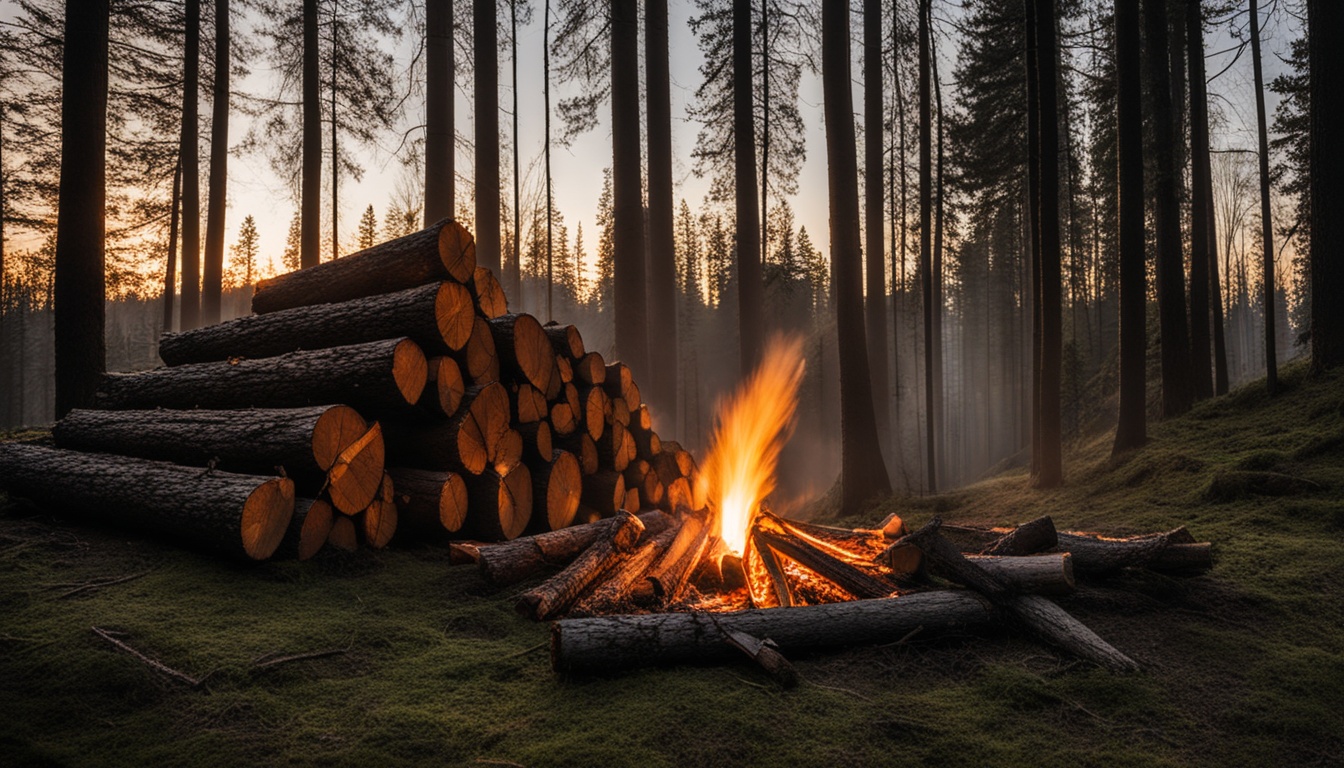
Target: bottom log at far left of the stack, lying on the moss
[{"x": 239, "y": 516}]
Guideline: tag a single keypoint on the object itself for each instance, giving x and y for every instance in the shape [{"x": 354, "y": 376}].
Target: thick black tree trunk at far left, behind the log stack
[{"x": 80, "y": 290}]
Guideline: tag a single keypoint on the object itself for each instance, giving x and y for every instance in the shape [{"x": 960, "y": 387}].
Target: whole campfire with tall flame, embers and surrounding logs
[{"x": 733, "y": 578}]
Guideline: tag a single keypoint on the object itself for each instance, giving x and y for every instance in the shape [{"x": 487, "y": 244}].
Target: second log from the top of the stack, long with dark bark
[{"x": 437, "y": 317}]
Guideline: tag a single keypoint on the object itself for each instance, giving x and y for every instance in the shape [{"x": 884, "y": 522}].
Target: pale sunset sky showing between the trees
[{"x": 255, "y": 190}]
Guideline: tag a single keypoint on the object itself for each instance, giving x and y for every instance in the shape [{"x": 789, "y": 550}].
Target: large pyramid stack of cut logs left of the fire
[{"x": 389, "y": 395}]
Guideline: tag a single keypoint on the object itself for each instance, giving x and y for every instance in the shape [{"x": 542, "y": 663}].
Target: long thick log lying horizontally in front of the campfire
[{"x": 605, "y": 645}]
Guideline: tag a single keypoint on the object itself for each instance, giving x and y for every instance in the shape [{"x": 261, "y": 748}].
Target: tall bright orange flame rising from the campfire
[{"x": 751, "y": 430}]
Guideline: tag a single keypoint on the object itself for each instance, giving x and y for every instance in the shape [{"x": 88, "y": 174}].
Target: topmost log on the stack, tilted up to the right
[{"x": 443, "y": 252}]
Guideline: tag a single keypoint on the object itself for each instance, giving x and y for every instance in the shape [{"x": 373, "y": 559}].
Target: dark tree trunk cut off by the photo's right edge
[{"x": 1326, "y": 29}]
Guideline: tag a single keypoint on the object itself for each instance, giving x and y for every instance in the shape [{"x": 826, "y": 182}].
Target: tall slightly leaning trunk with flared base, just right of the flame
[{"x": 864, "y": 471}]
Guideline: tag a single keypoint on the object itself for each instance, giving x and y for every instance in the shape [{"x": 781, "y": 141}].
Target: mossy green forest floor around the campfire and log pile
[{"x": 1244, "y": 666}]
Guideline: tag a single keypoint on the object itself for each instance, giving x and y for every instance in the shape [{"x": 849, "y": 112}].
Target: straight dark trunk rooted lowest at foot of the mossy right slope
[{"x": 1049, "y": 465}]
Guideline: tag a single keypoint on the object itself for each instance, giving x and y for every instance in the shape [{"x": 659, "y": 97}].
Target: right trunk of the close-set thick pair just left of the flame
[{"x": 663, "y": 332}]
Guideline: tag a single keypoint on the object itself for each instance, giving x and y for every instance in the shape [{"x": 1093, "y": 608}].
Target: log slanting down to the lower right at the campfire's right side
[{"x": 1038, "y": 614}]
